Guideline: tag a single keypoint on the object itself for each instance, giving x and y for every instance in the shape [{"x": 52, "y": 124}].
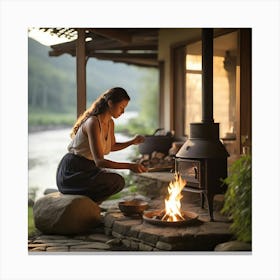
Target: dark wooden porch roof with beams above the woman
[{"x": 136, "y": 46}]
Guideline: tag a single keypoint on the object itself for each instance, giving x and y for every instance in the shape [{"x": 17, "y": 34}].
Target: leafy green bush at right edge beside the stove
[{"x": 238, "y": 198}]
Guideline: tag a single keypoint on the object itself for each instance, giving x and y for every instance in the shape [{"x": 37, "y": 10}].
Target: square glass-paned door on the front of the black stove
[{"x": 191, "y": 171}]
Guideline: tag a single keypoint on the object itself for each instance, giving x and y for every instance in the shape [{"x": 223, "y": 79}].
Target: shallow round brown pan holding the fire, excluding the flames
[{"x": 151, "y": 217}]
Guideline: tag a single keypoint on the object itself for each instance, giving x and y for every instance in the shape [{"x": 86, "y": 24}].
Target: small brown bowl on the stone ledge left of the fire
[{"x": 134, "y": 207}]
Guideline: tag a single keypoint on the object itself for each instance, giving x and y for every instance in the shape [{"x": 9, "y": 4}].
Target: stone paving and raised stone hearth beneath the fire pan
[{"x": 119, "y": 233}]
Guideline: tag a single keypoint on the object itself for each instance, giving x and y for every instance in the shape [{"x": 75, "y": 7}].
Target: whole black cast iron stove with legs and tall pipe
[{"x": 202, "y": 160}]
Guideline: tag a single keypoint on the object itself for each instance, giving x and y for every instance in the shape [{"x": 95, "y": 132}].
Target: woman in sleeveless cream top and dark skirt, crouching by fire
[{"x": 83, "y": 169}]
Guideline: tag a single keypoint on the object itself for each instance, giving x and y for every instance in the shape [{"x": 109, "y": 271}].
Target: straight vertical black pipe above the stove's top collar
[{"x": 207, "y": 75}]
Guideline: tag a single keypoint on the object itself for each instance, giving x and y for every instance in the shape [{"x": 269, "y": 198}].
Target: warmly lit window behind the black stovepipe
[{"x": 225, "y": 84}]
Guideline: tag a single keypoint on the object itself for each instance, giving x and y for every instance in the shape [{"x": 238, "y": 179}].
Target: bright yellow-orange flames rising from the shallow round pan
[{"x": 172, "y": 202}]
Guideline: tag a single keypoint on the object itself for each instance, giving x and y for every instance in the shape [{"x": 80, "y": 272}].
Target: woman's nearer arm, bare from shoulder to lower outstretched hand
[{"x": 92, "y": 130}]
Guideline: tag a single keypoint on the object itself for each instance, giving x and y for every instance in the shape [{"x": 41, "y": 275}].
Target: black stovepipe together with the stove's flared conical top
[{"x": 204, "y": 141}]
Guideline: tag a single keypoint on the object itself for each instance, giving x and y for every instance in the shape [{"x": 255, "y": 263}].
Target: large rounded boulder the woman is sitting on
[{"x": 58, "y": 213}]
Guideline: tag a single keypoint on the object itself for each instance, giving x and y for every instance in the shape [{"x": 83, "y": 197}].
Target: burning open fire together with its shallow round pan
[{"x": 172, "y": 214}]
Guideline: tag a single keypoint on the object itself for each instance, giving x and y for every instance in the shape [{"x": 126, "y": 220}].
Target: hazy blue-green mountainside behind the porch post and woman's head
[{"x": 52, "y": 80}]
